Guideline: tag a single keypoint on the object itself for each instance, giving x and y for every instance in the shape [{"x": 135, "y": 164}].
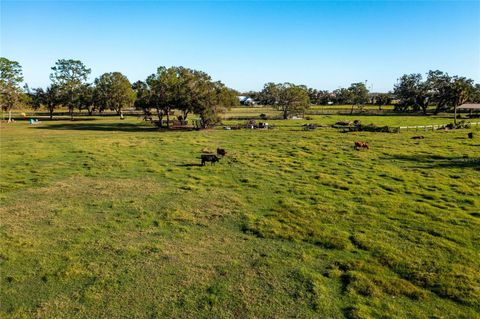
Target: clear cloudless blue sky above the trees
[{"x": 323, "y": 44}]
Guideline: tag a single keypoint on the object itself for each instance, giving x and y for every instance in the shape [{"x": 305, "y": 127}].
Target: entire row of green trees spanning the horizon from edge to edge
[{"x": 194, "y": 92}]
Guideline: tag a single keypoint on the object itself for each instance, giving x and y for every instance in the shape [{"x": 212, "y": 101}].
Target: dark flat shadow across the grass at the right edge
[{"x": 438, "y": 161}]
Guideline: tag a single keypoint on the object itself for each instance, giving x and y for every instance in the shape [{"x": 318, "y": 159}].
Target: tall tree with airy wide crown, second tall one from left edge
[{"x": 69, "y": 76}]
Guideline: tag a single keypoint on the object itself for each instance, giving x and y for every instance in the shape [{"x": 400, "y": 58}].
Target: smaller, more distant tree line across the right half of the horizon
[{"x": 411, "y": 93}]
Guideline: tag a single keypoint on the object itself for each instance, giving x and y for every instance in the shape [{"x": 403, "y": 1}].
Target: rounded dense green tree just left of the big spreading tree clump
[{"x": 113, "y": 91}]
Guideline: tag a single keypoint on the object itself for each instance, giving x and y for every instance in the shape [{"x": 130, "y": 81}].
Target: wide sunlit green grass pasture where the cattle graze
[{"x": 102, "y": 218}]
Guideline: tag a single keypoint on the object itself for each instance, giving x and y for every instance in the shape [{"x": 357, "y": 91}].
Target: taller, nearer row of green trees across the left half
[{"x": 174, "y": 88}]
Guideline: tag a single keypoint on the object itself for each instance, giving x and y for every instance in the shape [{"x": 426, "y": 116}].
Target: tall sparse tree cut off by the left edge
[{"x": 11, "y": 93}]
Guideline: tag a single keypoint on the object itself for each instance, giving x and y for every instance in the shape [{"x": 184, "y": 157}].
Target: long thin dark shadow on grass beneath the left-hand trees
[{"x": 105, "y": 127}]
